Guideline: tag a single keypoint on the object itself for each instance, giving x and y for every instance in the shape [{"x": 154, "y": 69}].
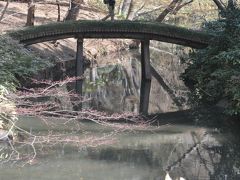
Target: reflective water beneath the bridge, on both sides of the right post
[{"x": 115, "y": 84}]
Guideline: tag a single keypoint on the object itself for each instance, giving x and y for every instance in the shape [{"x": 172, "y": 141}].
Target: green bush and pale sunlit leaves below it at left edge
[{"x": 15, "y": 61}]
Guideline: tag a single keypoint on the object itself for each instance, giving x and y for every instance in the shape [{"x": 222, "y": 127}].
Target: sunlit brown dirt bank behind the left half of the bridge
[{"x": 16, "y": 16}]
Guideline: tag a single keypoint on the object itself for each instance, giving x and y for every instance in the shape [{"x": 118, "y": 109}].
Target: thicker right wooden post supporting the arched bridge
[{"x": 146, "y": 77}]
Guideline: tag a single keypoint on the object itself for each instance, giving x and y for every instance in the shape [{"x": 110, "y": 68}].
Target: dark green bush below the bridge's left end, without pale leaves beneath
[{"x": 15, "y": 61}]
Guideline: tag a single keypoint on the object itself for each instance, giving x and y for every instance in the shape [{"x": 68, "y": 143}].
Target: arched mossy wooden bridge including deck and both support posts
[{"x": 143, "y": 31}]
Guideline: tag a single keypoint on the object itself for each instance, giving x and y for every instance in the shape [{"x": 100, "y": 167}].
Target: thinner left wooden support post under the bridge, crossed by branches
[{"x": 79, "y": 69}]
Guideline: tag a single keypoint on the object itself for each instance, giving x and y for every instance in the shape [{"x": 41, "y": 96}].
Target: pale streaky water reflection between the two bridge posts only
[{"x": 115, "y": 87}]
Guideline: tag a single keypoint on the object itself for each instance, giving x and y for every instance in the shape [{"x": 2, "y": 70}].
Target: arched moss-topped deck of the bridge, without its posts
[{"x": 113, "y": 29}]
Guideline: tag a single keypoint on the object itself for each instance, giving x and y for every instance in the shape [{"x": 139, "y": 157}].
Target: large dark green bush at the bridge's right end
[{"x": 214, "y": 73}]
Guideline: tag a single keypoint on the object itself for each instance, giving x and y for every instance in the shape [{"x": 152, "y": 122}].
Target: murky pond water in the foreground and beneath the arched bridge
[{"x": 181, "y": 144}]
